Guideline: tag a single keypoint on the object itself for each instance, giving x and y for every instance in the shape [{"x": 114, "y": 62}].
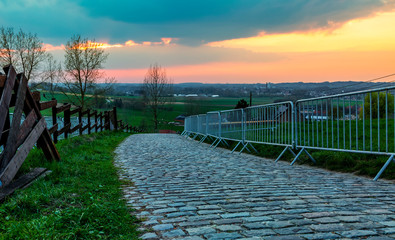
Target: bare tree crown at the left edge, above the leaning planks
[{"x": 23, "y": 50}]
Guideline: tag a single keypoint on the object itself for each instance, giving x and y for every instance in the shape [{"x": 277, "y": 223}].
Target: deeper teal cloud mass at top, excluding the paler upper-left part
[{"x": 208, "y": 20}]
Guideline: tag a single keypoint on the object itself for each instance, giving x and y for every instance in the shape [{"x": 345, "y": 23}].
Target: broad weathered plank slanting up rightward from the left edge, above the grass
[{"x": 16, "y": 162}]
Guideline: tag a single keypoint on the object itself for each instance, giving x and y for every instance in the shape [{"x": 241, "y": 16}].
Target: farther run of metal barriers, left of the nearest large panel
[{"x": 266, "y": 124}]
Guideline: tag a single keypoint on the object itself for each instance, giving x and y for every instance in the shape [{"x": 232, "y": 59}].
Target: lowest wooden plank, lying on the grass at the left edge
[{"x": 21, "y": 182}]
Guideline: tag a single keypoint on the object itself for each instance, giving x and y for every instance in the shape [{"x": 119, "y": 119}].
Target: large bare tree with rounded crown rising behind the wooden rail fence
[{"x": 82, "y": 70}]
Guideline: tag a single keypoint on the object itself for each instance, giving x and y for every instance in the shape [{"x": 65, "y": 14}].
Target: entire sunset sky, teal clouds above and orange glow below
[{"x": 222, "y": 41}]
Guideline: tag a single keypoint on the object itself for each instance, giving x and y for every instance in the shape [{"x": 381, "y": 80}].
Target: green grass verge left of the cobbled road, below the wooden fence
[{"x": 80, "y": 199}]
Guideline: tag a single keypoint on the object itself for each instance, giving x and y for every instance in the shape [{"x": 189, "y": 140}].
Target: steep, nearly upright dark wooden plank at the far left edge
[{"x": 6, "y": 96}]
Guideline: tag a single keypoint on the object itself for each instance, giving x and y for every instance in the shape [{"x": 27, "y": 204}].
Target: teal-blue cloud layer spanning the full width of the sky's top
[{"x": 193, "y": 22}]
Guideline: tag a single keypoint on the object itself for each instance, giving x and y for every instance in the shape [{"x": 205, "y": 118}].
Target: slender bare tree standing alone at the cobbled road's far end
[{"x": 157, "y": 87}]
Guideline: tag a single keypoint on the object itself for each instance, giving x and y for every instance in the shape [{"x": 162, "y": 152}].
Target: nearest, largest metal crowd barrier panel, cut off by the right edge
[{"x": 358, "y": 122}]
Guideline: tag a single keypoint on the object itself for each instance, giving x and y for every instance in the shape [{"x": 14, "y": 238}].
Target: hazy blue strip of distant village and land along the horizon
[{"x": 289, "y": 91}]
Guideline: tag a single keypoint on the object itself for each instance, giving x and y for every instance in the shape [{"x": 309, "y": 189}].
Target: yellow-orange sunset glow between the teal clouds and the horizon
[{"x": 357, "y": 50}]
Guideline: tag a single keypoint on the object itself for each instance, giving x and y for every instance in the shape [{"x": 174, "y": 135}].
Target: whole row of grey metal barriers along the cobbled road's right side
[{"x": 357, "y": 122}]
